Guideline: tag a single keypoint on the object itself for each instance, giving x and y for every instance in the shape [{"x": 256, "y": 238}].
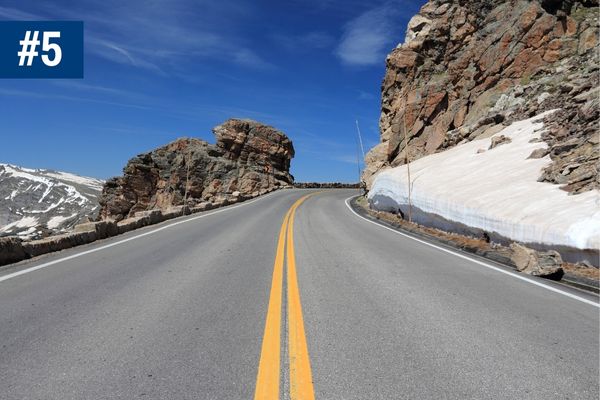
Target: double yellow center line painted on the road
[{"x": 269, "y": 370}]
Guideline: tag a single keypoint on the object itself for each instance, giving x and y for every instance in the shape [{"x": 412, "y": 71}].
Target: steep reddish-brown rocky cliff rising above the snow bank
[{"x": 468, "y": 68}]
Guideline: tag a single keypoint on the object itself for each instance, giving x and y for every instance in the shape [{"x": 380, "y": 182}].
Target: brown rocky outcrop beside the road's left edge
[{"x": 248, "y": 158}]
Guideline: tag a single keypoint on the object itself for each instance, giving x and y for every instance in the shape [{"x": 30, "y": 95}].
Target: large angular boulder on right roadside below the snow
[{"x": 547, "y": 264}]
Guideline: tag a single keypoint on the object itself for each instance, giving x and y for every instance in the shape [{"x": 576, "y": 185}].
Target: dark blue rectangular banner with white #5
[{"x": 41, "y": 49}]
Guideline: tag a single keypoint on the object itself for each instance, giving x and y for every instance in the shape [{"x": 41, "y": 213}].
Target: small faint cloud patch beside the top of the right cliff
[{"x": 367, "y": 38}]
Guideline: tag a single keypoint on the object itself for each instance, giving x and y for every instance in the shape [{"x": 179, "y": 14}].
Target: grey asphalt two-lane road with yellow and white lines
[{"x": 253, "y": 301}]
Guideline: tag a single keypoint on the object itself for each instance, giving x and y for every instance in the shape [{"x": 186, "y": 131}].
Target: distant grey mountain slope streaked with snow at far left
[{"x": 35, "y": 202}]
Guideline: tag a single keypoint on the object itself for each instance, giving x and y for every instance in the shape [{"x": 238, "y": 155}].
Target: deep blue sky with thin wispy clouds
[{"x": 156, "y": 70}]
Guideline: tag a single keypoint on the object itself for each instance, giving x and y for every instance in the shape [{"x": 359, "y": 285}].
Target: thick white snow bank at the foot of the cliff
[{"x": 496, "y": 191}]
